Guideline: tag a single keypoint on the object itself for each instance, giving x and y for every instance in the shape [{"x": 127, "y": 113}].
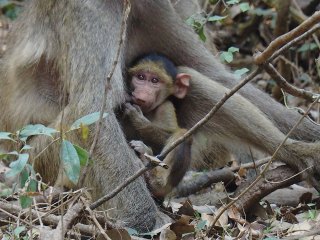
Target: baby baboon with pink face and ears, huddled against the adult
[{"x": 161, "y": 123}]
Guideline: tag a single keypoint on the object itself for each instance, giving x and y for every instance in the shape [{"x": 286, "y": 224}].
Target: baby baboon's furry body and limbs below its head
[{"x": 162, "y": 125}]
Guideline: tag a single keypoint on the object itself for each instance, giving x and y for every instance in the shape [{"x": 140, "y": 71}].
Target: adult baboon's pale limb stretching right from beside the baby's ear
[{"x": 238, "y": 123}]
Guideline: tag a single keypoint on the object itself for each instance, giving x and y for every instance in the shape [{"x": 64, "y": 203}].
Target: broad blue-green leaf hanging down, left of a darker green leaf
[{"x": 70, "y": 161}]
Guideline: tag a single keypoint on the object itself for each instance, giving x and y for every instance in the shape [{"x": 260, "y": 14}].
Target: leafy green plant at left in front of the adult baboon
[{"x": 72, "y": 156}]
